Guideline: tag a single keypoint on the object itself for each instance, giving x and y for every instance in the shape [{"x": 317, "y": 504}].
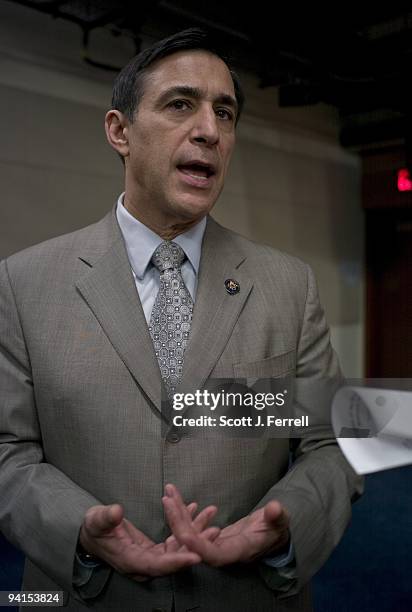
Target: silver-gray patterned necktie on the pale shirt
[{"x": 171, "y": 316}]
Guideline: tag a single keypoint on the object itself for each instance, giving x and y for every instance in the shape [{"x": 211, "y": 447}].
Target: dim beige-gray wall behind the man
[{"x": 290, "y": 183}]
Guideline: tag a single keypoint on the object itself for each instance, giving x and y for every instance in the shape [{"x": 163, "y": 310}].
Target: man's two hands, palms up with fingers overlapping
[{"x": 111, "y": 537}]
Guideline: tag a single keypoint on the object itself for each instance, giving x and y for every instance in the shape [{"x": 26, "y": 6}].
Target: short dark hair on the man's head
[{"x": 128, "y": 87}]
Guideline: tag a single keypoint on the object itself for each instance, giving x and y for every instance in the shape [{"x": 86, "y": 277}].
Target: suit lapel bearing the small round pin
[{"x": 216, "y": 311}]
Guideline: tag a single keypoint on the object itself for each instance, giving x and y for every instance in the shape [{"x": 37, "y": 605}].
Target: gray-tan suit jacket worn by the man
[{"x": 80, "y": 400}]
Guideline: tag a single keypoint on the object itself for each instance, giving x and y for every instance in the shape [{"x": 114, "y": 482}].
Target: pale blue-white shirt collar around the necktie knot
[{"x": 141, "y": 242}]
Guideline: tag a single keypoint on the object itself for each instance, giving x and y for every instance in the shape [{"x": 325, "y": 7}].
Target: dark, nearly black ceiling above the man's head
[{"x": 357, "y": 60}]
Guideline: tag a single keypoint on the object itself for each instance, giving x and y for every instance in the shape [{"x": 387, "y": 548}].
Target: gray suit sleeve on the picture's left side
[{"x": 41, "y": 509}]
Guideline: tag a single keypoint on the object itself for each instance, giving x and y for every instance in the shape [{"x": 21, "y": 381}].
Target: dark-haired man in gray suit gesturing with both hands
[{"x": 83, "y": 462}]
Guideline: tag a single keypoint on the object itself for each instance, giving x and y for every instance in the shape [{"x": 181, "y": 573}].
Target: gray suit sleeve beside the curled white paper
[{"x": 318, "y": 489}]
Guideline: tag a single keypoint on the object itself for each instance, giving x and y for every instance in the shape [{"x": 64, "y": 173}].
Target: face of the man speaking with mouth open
[{"x": 181, "y": 139}]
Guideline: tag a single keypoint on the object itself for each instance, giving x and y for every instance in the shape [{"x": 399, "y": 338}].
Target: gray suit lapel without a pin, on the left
[{"x": 109, "y": 290}]
